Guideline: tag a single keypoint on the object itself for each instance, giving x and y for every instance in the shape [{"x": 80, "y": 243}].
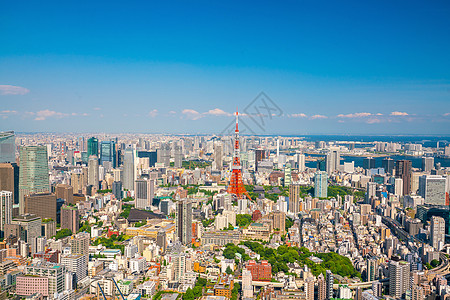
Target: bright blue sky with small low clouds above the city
[{"x": 347, "y": 67}]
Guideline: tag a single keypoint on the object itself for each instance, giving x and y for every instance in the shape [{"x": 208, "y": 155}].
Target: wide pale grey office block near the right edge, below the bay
[{"x": 432, "y": 189}]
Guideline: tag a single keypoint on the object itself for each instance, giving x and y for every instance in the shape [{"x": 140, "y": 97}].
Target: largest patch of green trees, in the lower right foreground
[{"x": 280, "y": 257}]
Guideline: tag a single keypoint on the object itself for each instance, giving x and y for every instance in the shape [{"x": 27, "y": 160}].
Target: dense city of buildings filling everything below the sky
[{"x": 138, "y": 216}]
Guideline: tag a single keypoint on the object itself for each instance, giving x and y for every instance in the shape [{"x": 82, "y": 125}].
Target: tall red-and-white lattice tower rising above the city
[{"x": 236, "y": 186}]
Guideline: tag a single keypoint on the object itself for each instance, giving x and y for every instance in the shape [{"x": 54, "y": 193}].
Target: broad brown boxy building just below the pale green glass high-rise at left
[{"x": 42, "y": 205}]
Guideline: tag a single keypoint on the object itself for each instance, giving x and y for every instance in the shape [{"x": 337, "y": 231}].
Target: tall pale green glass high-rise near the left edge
[{"x": 33, "y": 172}]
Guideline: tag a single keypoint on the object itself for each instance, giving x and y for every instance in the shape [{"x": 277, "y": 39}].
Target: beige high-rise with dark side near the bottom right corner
[{"x": 399, "y": 278}]
